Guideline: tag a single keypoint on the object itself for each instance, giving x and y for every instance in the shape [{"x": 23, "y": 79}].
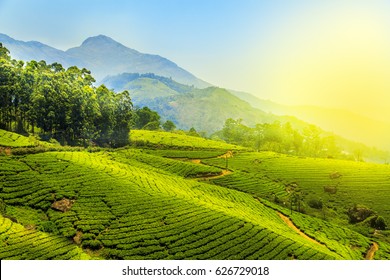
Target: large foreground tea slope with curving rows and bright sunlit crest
[{"x": 123, "y": 205}]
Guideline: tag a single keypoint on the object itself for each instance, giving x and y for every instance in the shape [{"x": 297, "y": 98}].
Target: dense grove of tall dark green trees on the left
[{"x": 63, "y": 104}]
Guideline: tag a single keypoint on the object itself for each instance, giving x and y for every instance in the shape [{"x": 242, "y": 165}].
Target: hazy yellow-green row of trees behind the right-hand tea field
[{"x": 281, "y": 138}]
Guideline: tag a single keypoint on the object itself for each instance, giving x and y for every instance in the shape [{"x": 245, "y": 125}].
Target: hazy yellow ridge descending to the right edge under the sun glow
[{"x": 339, "y": 121}]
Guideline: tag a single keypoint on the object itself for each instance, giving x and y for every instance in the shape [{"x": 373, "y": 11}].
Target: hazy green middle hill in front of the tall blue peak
[{"x": 205, "y": 109}]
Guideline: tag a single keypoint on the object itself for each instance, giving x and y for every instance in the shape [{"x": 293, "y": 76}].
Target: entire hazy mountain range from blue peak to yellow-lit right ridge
[{"x": 178, "y": 95}]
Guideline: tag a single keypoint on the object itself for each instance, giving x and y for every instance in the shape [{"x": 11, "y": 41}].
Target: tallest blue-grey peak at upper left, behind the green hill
[{"x": 103, "y": 56}]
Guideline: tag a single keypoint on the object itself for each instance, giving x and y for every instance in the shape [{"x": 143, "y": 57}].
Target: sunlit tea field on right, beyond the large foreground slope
[{"x": 338, "y": 184}]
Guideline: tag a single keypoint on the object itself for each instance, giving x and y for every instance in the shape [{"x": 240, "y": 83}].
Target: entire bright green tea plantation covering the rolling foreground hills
[{"x": 140, "y": 204}]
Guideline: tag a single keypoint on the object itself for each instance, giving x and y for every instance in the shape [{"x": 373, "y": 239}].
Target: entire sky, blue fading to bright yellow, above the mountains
[{"x": 333, "y": 53}]
